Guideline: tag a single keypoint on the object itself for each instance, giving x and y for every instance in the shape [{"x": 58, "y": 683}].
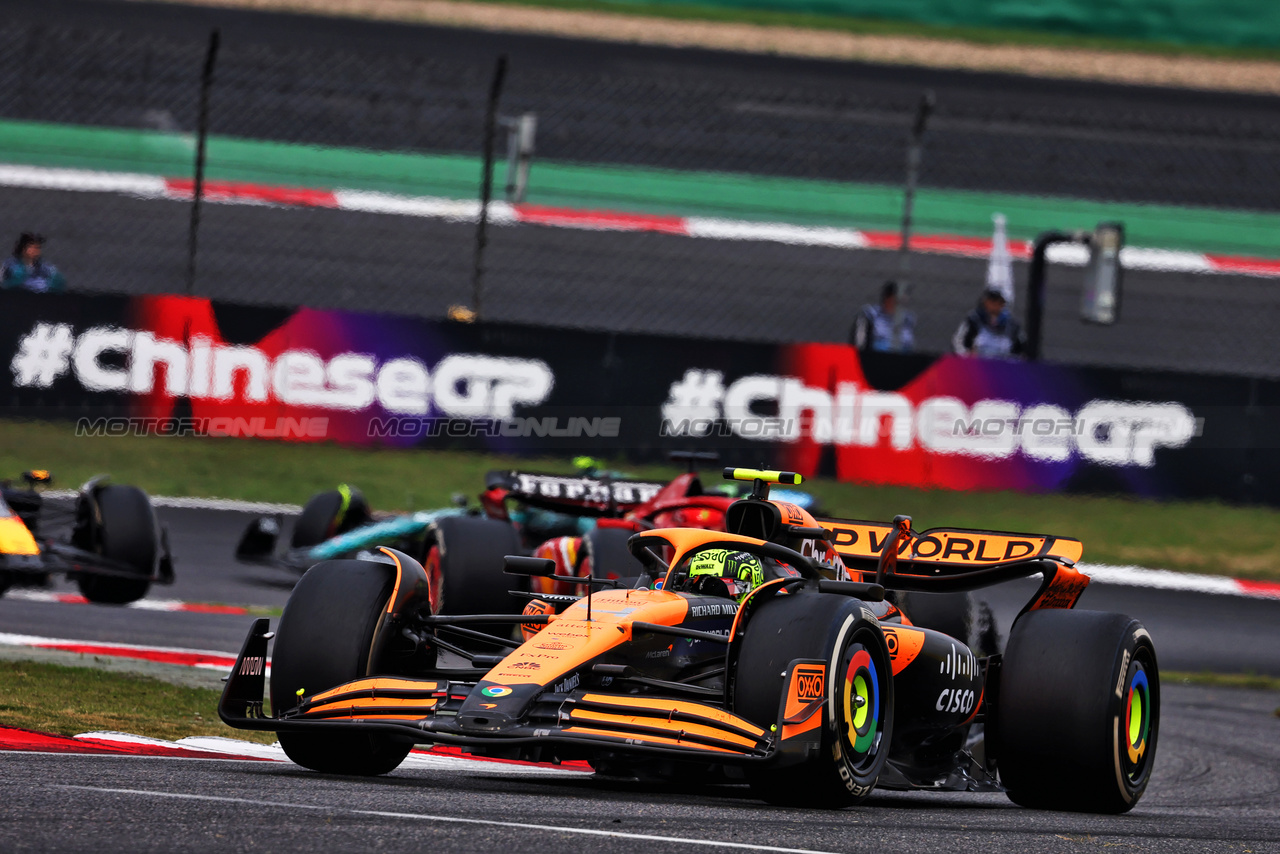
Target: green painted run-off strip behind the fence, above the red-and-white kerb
[{"x": 636, "y": 190}]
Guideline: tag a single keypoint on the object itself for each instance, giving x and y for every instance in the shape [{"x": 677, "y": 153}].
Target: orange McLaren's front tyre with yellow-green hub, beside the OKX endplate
[{"x": 856, "y": 739}]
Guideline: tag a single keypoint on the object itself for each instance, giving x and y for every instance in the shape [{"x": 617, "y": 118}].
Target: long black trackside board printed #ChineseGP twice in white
[{"x": 180, "y": 366}]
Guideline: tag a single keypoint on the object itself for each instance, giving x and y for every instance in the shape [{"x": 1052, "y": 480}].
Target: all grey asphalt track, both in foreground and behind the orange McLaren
[{"x": 1217, "y": 786}]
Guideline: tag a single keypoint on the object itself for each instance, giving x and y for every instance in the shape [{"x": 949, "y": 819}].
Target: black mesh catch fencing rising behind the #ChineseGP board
[{"x": 634, "y": 190}]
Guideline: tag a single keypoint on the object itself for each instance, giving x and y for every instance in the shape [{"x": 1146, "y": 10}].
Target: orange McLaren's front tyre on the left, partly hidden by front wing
[{"x": 323, "y": 641}]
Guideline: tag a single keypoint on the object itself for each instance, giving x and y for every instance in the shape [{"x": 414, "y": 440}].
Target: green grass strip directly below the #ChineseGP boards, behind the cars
[{"x": 1201, "y": 537}]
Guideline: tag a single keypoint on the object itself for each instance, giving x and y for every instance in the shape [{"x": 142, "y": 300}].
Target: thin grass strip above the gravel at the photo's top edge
[{"x": 889, "y": 28}]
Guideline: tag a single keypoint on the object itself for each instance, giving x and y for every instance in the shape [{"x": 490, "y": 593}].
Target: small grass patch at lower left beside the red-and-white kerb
[{"x": 70, "y": 701}]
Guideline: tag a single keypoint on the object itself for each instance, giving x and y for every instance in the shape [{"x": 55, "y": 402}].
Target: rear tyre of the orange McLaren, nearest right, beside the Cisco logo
[{"x": 1080, "y": 711}]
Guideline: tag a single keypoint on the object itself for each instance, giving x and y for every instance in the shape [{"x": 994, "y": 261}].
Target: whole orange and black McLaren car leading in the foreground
[{"x": 798, "y": 678}]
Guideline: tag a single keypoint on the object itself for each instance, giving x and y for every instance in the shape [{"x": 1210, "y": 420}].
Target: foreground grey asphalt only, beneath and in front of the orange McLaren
[{"x": 1215, "y": 789}]
